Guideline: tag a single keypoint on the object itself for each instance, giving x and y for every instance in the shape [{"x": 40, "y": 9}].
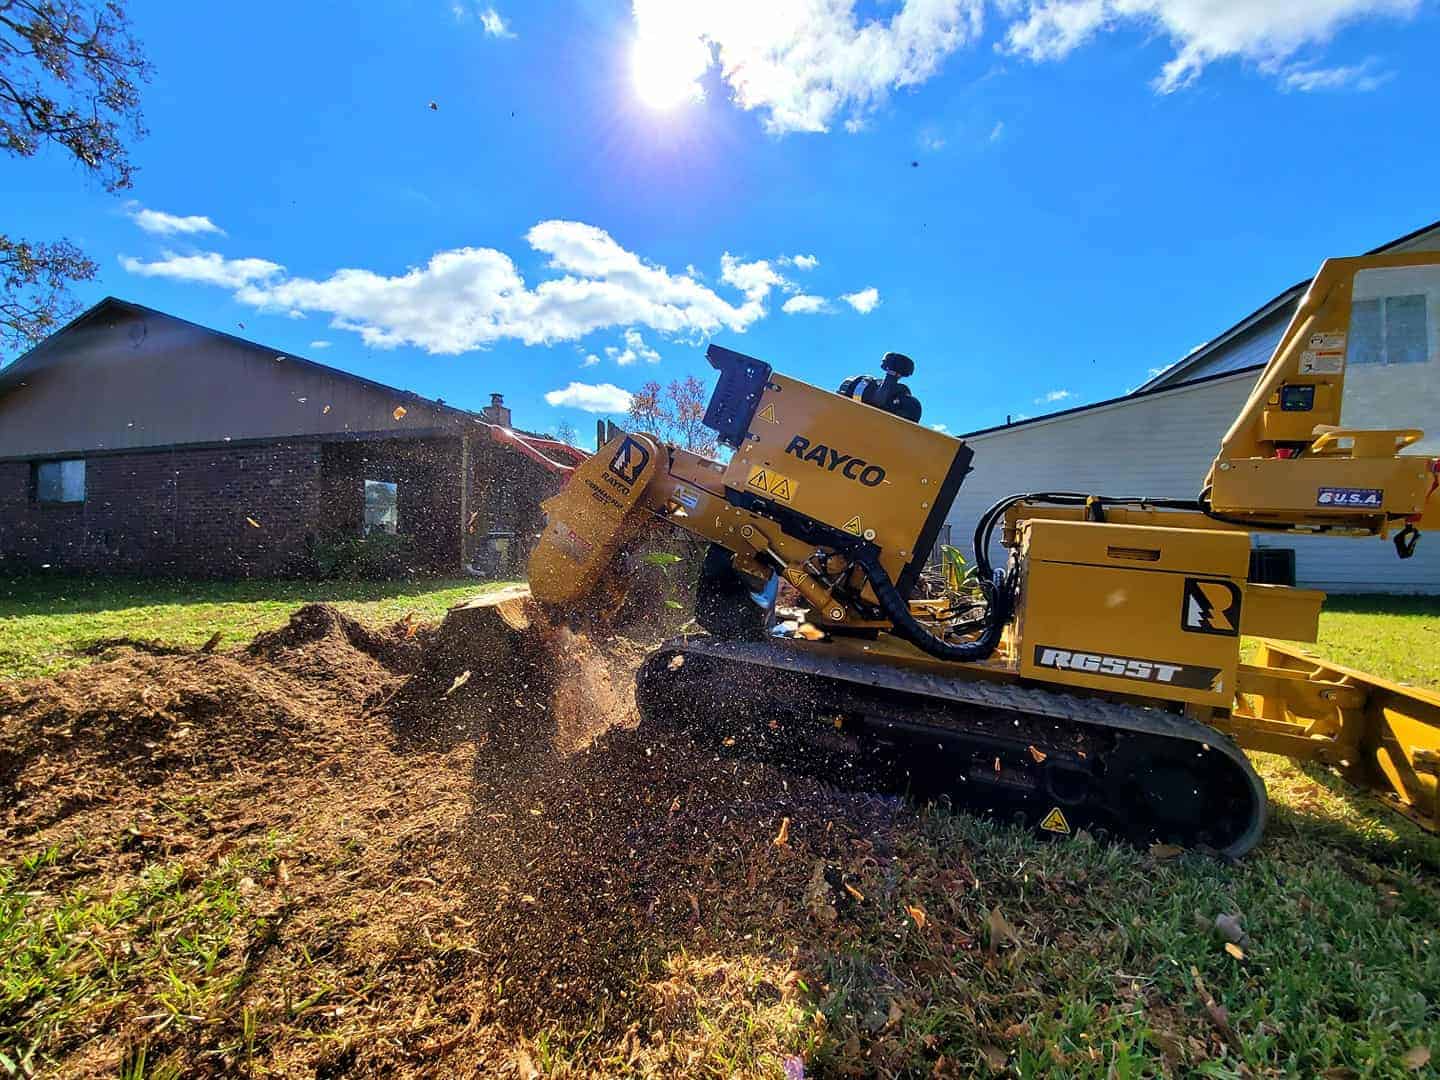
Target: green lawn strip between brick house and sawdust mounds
[{"x": 45, "y": 623}]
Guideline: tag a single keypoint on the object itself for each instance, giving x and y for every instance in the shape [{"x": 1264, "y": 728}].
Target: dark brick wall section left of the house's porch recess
[{"x": 178, "y": 512}]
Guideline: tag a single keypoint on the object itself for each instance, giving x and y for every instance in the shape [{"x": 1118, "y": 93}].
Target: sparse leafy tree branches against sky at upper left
[{"x": 70, "y": 78}]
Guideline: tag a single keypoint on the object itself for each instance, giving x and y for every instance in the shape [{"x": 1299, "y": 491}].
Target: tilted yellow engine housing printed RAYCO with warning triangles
[{"x": 858, "y": 469}]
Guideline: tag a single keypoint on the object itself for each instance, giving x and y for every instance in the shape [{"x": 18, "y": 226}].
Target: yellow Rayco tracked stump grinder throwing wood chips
[{"x": 1092, "y": 682}]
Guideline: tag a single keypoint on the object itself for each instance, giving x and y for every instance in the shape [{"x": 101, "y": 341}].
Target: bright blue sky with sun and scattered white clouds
[{"x": 1039, "y": 202}]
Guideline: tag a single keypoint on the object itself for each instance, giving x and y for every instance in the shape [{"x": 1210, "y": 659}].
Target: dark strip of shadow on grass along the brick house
[{"x": 73, "y": 595}]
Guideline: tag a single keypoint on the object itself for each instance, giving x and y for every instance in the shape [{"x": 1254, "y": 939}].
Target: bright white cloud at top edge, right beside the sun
[{"x": 803, "y": 63}]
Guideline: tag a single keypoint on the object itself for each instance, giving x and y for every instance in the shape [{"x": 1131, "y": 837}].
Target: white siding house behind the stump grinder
[{"x": 1158, "y": 441}]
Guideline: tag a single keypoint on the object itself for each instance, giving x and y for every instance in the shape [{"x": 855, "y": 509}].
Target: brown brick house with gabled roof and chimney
[{"x": 138, "y": 443}]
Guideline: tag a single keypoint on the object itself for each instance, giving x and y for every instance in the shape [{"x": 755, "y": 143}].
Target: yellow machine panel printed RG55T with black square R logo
[{"x": 1133, "y": 610}]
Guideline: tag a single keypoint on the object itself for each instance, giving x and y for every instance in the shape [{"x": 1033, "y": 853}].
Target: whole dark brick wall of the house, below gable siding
[{"x": 184, "y": 512}]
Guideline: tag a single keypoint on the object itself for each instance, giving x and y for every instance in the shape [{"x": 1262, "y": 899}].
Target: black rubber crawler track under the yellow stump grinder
[{"x": 1000, "y": 748}]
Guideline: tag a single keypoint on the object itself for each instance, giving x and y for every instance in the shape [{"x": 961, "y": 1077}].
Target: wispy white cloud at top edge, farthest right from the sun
[{"x": 1266, "y": 32}]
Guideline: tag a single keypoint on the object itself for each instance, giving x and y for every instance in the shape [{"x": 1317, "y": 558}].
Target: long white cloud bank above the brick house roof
[{"x": 472, "y": 297}]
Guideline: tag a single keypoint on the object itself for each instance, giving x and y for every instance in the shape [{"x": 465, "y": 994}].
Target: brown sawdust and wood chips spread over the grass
[{"x": 436, "y": 856}]
